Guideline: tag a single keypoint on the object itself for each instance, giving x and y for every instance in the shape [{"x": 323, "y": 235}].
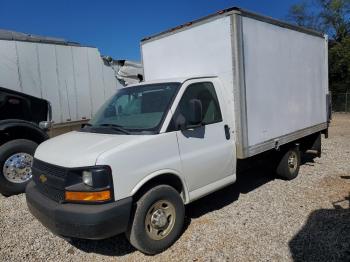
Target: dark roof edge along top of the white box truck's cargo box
[{"x": 236, "y": 10}]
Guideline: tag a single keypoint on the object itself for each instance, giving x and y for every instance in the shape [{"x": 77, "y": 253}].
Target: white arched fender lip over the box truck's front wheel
[{"x": 158, "y": 173}]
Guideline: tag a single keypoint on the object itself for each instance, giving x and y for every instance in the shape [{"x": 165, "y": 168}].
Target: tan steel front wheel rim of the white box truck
[{"x": 160, "y": 220}]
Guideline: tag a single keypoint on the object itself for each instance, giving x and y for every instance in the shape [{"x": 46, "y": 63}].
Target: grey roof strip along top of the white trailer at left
[{"x": 24, "y": 37}]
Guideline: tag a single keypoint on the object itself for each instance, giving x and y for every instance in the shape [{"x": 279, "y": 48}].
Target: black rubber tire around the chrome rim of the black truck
[{"x": 8, "y": 150}]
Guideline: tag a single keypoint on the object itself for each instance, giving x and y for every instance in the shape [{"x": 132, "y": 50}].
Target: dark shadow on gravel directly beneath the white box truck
[{"x": 247, "y": 181}]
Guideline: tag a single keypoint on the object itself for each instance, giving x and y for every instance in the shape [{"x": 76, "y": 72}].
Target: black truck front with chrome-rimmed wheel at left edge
[{"x": 24, "y": 120}]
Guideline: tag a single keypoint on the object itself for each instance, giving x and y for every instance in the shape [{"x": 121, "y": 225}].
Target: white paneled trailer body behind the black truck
[{"x": 73, "y": 78}]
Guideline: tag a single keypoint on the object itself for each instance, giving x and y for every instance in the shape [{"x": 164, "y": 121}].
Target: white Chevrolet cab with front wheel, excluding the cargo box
[{"x": 171, "y": 136}]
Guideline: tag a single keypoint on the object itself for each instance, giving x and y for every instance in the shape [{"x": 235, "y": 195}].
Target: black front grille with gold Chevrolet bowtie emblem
[{"x": 50, "y": 180}]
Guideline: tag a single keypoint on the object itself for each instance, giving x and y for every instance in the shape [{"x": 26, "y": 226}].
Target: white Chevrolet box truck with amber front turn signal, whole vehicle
[{"x": 224, "y": 90}]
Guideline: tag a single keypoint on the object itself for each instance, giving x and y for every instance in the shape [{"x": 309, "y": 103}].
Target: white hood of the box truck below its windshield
[{"x": 79, "y": 149}]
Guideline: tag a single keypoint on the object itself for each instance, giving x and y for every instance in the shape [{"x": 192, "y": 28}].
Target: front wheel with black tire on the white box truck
[{"x": 139, "y": 232}]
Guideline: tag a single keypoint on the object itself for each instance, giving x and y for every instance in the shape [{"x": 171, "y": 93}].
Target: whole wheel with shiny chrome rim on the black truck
[{"x": 16, "y": 158}]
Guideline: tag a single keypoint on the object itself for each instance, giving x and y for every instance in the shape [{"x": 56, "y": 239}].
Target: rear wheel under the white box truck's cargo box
[{"x": 289, "y": 165}]
